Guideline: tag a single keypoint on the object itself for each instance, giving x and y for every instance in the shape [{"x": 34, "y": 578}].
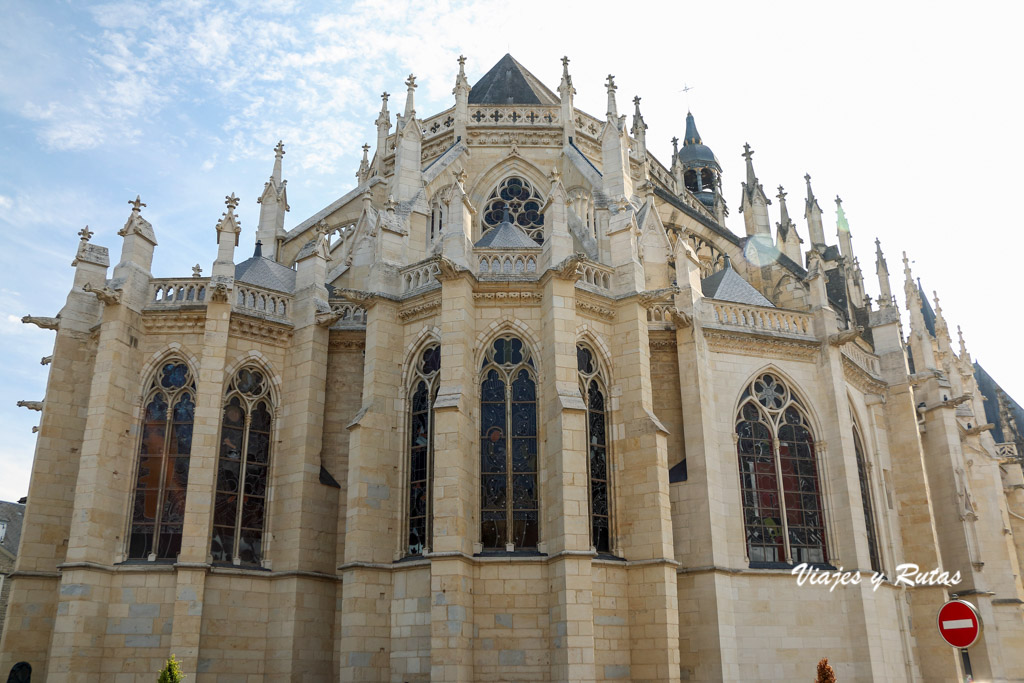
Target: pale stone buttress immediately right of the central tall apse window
[{"x": 566, "y": 482}]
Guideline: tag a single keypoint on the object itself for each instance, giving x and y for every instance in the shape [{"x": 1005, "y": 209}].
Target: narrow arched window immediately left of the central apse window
[{"x": 421, "y": 448}]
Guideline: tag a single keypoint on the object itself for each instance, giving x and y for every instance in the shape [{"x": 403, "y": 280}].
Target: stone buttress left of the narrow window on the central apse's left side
[{"x": 374, "y": 502}]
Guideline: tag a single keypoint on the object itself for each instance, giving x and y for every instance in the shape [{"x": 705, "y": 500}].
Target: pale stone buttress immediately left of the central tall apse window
[{"x": 456, "y": 489}]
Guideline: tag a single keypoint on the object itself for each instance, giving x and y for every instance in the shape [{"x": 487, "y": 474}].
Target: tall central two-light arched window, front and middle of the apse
[{"x": 509, "y": 505}]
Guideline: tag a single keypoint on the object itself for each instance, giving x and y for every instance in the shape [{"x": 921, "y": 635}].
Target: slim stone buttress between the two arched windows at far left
[{"x": 194, "y": 560}]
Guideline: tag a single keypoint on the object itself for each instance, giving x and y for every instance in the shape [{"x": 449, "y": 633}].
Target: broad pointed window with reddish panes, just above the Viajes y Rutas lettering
[{"x": 783, "y": 511}]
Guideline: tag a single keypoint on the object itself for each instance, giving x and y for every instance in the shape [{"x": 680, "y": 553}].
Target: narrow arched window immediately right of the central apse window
[{"x": 592, "y": 389}]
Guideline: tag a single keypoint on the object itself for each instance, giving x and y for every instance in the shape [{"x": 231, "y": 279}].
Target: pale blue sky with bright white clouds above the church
[{"x": 909, "y": 111}]
